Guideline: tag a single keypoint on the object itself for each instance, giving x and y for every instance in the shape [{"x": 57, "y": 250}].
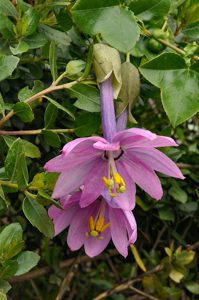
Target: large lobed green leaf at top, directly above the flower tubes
[{"x": 116, "y": 24}]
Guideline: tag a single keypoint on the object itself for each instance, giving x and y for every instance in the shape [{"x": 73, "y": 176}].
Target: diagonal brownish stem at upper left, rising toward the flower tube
[{"x": 48, "y": 90}]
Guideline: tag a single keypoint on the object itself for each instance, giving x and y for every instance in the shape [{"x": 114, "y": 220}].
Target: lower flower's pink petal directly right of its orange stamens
[{"x": 118, "y": 231}]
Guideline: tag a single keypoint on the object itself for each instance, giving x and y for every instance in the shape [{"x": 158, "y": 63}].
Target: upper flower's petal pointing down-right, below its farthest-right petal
[{"x": 144, "y": 177}]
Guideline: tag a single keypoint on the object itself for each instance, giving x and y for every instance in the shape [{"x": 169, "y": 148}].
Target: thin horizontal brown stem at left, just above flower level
[{"x": 35, "y": 132}]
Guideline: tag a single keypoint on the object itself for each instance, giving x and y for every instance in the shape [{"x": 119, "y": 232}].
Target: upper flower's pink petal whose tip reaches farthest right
[{"x": 156, "y": 160}]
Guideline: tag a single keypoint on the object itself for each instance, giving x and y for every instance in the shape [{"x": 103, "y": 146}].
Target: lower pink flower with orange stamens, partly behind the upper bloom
[{"x": 94, "y": 226}]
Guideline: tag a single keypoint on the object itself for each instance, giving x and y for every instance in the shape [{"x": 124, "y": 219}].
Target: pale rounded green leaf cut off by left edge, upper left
[{"x": 7, "y": 65}]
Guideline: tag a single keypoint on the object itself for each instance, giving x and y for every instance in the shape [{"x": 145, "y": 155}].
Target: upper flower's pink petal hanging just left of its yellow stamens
[{"x": 93, "y": 183}]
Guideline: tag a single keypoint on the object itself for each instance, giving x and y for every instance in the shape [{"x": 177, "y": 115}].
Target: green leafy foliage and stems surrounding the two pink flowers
[{"x": 39, "y": 41}]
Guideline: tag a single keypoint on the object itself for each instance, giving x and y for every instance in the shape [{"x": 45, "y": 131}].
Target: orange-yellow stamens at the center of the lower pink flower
[{"x": 97, "y": 226}]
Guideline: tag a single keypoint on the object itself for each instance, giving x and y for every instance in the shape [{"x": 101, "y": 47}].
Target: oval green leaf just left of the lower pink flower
[{"x": 37, "y": 216}]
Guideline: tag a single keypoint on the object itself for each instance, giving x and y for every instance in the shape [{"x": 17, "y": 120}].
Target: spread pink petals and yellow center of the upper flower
[{"x": 113, "y": 168}]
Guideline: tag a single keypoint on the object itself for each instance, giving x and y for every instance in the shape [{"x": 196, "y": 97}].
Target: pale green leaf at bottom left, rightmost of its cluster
[{"x": 26, "y": 261}]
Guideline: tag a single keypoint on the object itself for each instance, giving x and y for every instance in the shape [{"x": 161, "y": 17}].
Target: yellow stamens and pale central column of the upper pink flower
[{"x": 114, "y": 183}]
